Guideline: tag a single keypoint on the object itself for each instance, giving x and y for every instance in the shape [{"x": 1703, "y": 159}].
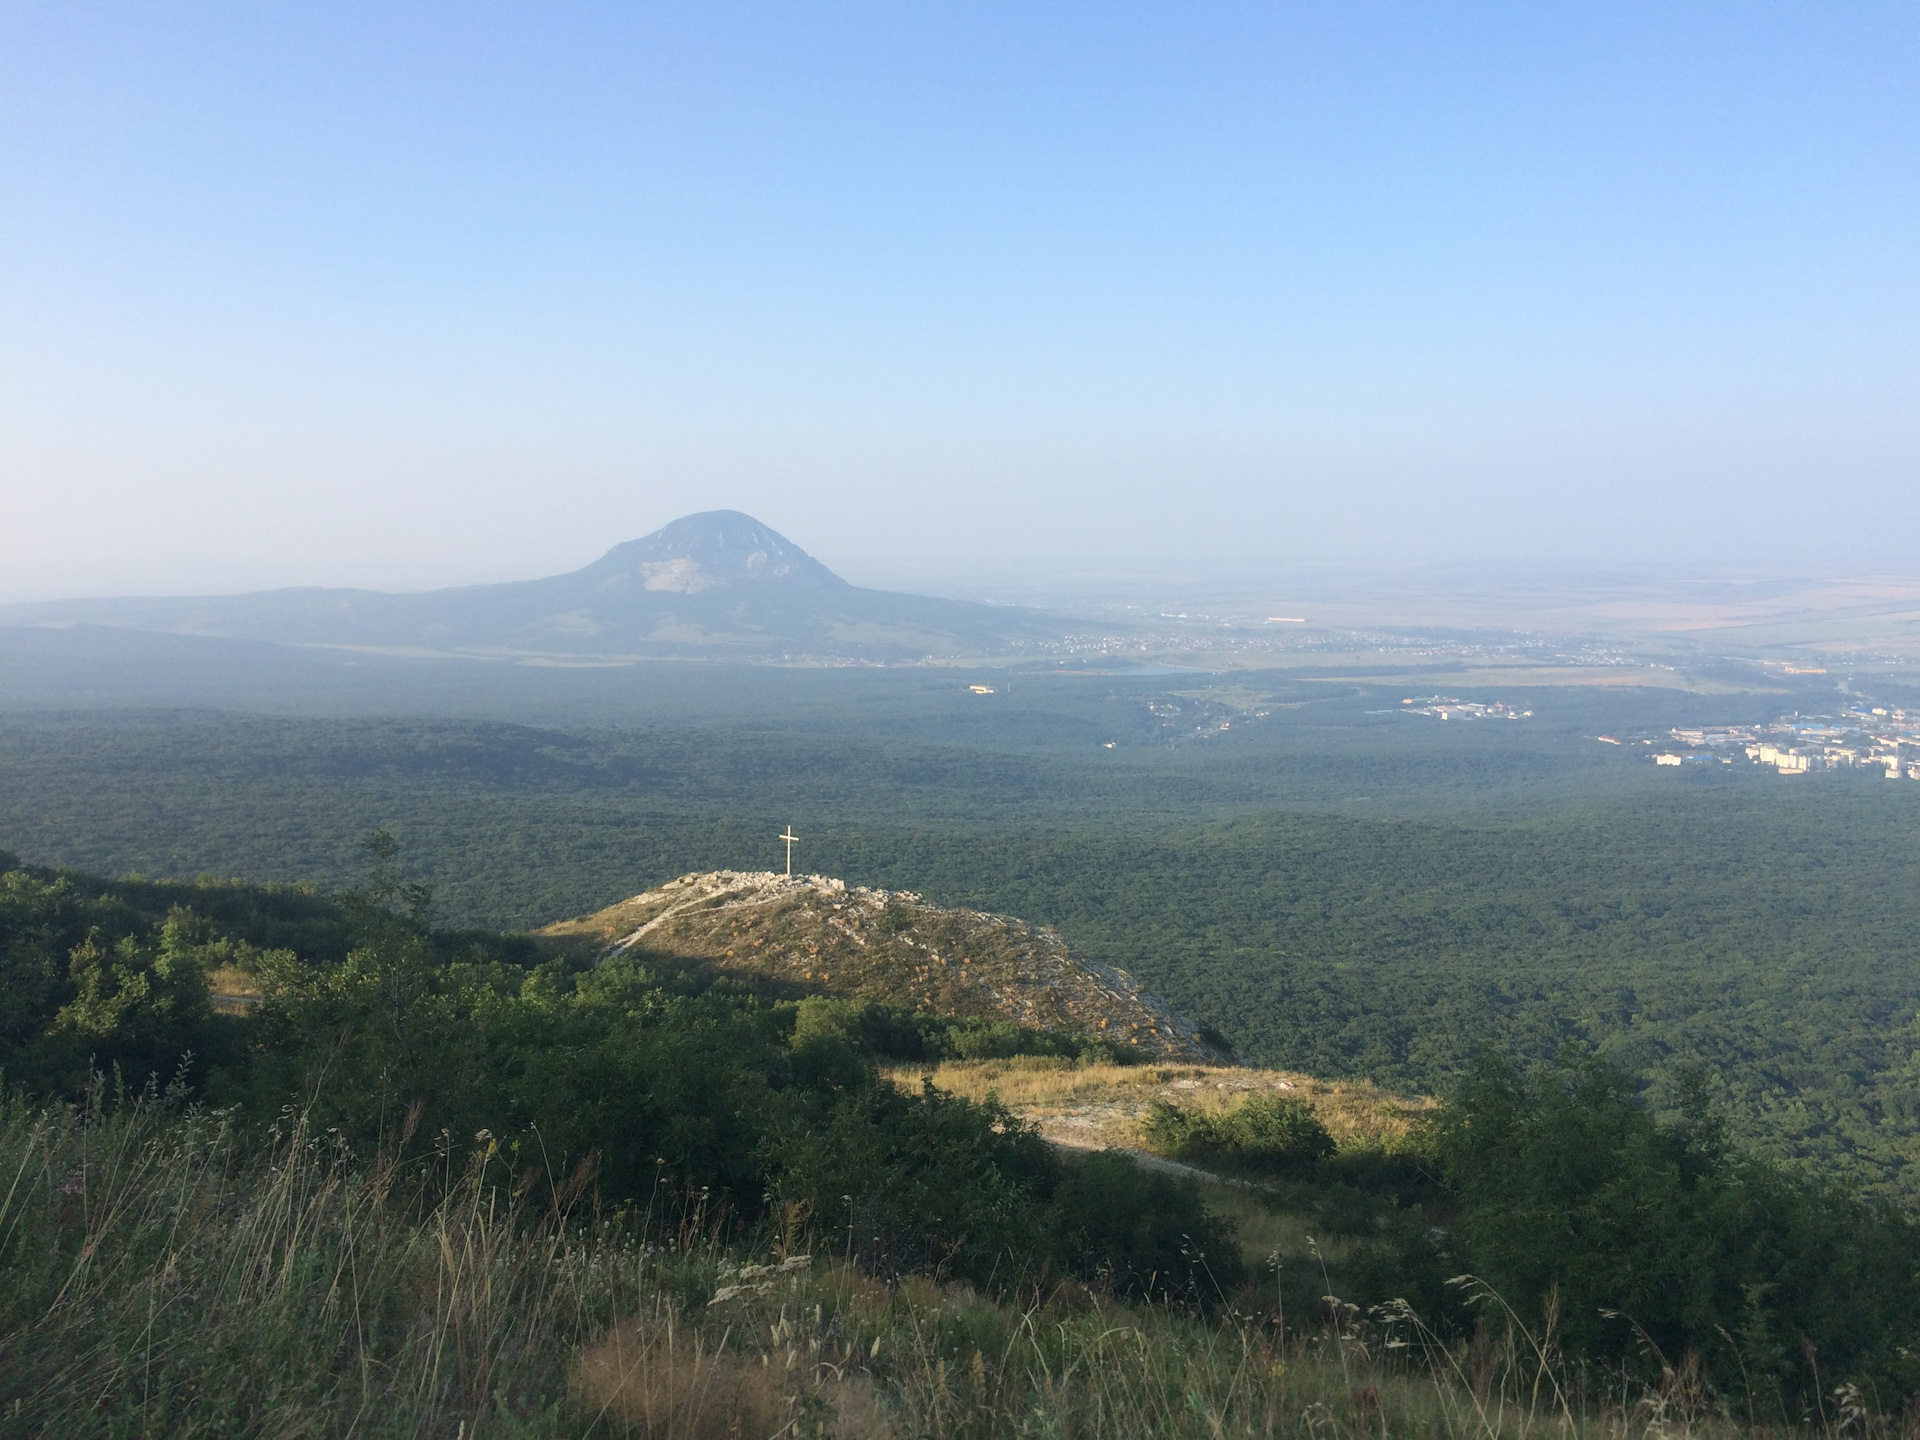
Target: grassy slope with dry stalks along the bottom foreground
[{"x": 160, "y": 1278}]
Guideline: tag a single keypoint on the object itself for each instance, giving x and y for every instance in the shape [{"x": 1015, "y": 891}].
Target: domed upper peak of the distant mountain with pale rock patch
[{"x": 713, "y": 550}]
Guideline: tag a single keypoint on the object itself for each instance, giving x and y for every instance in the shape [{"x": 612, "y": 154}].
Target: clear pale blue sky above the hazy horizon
[{"x": 435, "y": 295}]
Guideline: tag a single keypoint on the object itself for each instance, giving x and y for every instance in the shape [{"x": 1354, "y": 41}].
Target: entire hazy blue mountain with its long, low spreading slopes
[{"x": 715, "y": 585}]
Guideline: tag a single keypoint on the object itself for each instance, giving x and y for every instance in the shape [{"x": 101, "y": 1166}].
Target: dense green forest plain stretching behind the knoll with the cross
[{"x": 1337, "y": 890}]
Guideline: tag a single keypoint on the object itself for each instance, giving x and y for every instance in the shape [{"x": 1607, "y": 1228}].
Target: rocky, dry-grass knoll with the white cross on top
[{"x": 813, "y": 934}]
